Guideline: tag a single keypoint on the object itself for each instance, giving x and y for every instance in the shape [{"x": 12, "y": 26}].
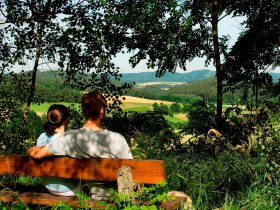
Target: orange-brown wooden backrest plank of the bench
[{"x": 143, "y": 171}]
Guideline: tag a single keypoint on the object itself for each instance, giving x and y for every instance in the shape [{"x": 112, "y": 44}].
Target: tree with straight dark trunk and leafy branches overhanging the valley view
[{"x": 169, "y": 34}]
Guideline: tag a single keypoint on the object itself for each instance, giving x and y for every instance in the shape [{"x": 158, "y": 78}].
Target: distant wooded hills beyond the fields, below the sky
[{"x": 200, "y": 84}]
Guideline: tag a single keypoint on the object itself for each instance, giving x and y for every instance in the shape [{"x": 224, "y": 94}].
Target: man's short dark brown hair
[{"x": 92, "y": 103}]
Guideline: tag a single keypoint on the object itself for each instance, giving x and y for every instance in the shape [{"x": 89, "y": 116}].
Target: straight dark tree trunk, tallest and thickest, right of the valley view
[{"x": 217, "y": 59}]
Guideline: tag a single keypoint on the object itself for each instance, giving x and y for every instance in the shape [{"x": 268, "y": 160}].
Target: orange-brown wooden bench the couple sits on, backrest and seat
[{"x": 143, "y": 171}]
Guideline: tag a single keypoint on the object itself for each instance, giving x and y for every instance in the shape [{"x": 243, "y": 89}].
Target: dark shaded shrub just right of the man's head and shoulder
[{"x": 152, "y": 125}]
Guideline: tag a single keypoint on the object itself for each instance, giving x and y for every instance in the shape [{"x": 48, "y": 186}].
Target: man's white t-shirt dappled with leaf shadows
[{"x": 85, "y": 143}]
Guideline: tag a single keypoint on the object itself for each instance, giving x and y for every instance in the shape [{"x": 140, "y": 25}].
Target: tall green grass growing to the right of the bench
[{"x": 229, "y": 181}]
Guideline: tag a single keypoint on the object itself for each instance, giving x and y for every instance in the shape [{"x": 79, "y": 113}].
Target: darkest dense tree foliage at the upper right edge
[{"x": 257, "y": 51}]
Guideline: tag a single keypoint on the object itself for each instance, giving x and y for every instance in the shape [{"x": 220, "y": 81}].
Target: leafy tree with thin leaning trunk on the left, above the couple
[{"x": 76, "y": 36}]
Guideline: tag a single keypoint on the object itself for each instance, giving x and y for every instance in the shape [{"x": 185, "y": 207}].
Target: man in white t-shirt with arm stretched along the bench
[{"x": 90, "y": 141}]
